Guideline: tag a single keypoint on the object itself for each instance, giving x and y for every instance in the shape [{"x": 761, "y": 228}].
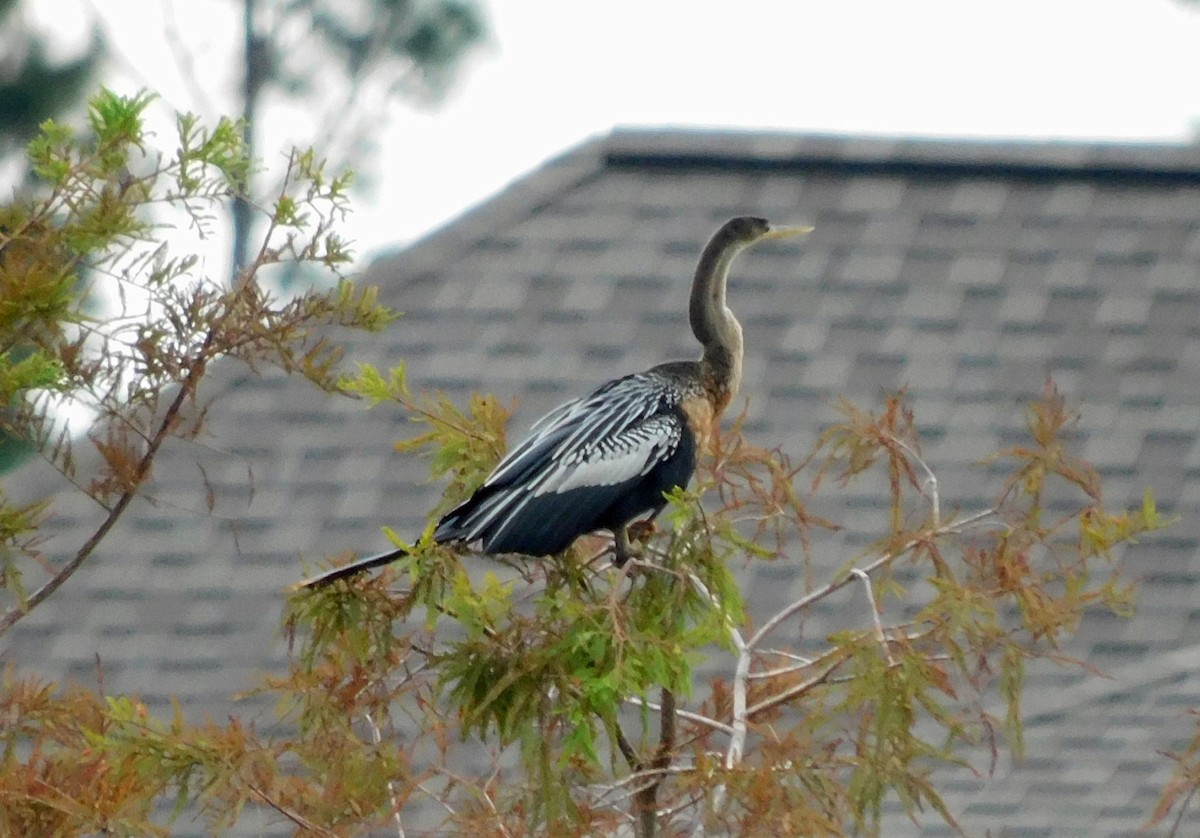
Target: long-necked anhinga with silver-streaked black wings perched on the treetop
[{"x": 608, "y": 459}]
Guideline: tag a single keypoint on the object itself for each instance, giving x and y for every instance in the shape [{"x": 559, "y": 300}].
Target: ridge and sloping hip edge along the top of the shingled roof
[{"x": 649, "y": 148}]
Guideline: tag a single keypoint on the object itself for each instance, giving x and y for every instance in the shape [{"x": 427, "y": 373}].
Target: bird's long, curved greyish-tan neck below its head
[{"x": 715, "y": 326}]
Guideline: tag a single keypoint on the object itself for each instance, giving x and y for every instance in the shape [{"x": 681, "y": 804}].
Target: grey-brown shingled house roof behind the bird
[{"x": 964, "y": 271}]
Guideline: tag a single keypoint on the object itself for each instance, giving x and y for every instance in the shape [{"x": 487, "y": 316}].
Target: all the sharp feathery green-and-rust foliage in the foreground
[{"x": 514, "y": 696}]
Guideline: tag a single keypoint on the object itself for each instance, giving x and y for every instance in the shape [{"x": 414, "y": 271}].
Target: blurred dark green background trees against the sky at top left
[{"x": 359, "y": 55}]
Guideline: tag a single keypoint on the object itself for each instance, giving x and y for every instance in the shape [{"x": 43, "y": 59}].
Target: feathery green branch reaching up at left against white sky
[{"x": 103, "y": 319}]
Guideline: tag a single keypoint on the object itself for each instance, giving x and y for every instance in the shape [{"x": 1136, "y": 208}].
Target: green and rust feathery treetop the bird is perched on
[{"x": 575, "y": 666}]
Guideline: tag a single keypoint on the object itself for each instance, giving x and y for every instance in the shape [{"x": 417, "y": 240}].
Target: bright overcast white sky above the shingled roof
[{"x": 559, "y": 73}]
